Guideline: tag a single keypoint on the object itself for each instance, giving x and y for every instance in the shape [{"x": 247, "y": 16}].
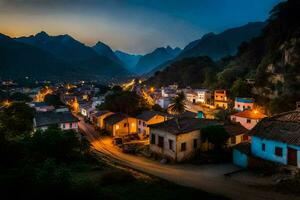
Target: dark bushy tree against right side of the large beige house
[{"x": 216, "y": 135}]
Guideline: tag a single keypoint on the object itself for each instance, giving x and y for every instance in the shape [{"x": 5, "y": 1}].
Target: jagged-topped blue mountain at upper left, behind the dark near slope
[{"x": 61, "y": 46}]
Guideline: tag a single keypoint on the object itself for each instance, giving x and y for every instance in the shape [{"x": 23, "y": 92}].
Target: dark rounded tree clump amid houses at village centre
[{"x": 126, "y": 102}]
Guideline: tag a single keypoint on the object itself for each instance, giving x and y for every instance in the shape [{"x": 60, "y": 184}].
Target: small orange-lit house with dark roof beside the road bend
[{"x": 120, "y": 124}]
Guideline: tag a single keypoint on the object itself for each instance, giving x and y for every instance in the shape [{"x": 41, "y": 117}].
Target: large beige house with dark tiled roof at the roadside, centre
[{"x": 179, "y": 138}]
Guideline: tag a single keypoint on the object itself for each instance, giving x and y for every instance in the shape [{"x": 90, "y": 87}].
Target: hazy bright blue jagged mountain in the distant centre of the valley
[{"x": 158, "y": 56}]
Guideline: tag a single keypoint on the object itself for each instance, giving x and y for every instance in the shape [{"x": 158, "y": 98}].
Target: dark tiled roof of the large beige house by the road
[{"x": 177, "y": 126}]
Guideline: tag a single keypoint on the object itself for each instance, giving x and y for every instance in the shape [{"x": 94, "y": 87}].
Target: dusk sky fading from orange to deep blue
[{"x": 134, "y": 26}]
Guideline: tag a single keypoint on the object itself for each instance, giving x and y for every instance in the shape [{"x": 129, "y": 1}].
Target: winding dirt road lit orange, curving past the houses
[{"x": 209, "y": 178}]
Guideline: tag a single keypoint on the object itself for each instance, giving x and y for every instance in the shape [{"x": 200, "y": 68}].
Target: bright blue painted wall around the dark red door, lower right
[{"x": 269, "y": 153}]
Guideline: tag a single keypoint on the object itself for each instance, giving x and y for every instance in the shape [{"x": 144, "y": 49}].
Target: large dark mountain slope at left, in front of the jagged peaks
[{"x": 20, "y": 59}]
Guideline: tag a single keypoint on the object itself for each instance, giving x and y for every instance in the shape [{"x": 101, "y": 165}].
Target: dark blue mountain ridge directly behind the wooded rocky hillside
[{"x": 217, "y": 46}]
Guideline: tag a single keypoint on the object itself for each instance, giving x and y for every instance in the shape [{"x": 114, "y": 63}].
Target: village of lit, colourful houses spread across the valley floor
[{"x": 173, "y": 134}]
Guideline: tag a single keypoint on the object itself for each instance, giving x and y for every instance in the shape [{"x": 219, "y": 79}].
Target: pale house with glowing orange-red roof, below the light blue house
[{"x": 247, "y": 118}]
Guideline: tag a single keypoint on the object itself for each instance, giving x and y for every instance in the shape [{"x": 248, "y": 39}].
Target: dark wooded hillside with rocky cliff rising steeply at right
[{"x": 271, "y": 60}]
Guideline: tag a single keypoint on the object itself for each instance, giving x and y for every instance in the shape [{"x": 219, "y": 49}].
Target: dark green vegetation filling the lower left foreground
[{"x": 55, "y": 164}]
